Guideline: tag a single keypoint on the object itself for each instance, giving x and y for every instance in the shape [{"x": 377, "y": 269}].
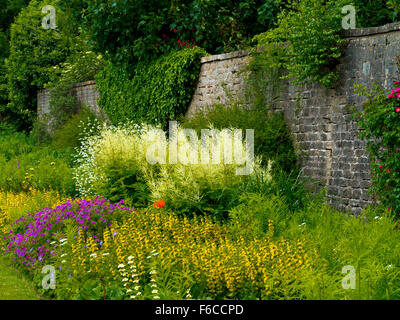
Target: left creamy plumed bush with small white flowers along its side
[{"x": 111, "y": 163}]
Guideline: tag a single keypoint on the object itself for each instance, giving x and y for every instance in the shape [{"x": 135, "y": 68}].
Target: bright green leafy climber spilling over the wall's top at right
[{"x": 310, "y": 30}]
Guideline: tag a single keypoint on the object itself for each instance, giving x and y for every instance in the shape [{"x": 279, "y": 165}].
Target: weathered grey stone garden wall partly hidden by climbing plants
[{"x": 321, "y": 125}]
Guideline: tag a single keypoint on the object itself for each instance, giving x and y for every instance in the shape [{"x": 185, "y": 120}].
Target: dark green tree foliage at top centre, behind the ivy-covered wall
[{"x": 129, "y": 31}]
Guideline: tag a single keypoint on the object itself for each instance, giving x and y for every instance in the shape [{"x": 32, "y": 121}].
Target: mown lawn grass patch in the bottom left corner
[{"x": 14, "y": 285}]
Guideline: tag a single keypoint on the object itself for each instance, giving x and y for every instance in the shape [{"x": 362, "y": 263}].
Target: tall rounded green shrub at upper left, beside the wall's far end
[{"x": 34, "y": 51}]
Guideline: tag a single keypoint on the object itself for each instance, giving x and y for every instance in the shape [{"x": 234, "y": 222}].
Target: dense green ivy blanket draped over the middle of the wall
[{"x": 160, "y": 90}]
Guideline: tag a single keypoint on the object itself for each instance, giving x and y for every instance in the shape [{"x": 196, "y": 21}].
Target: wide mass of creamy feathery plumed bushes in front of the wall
[{"x": 115, "y": 163}]
